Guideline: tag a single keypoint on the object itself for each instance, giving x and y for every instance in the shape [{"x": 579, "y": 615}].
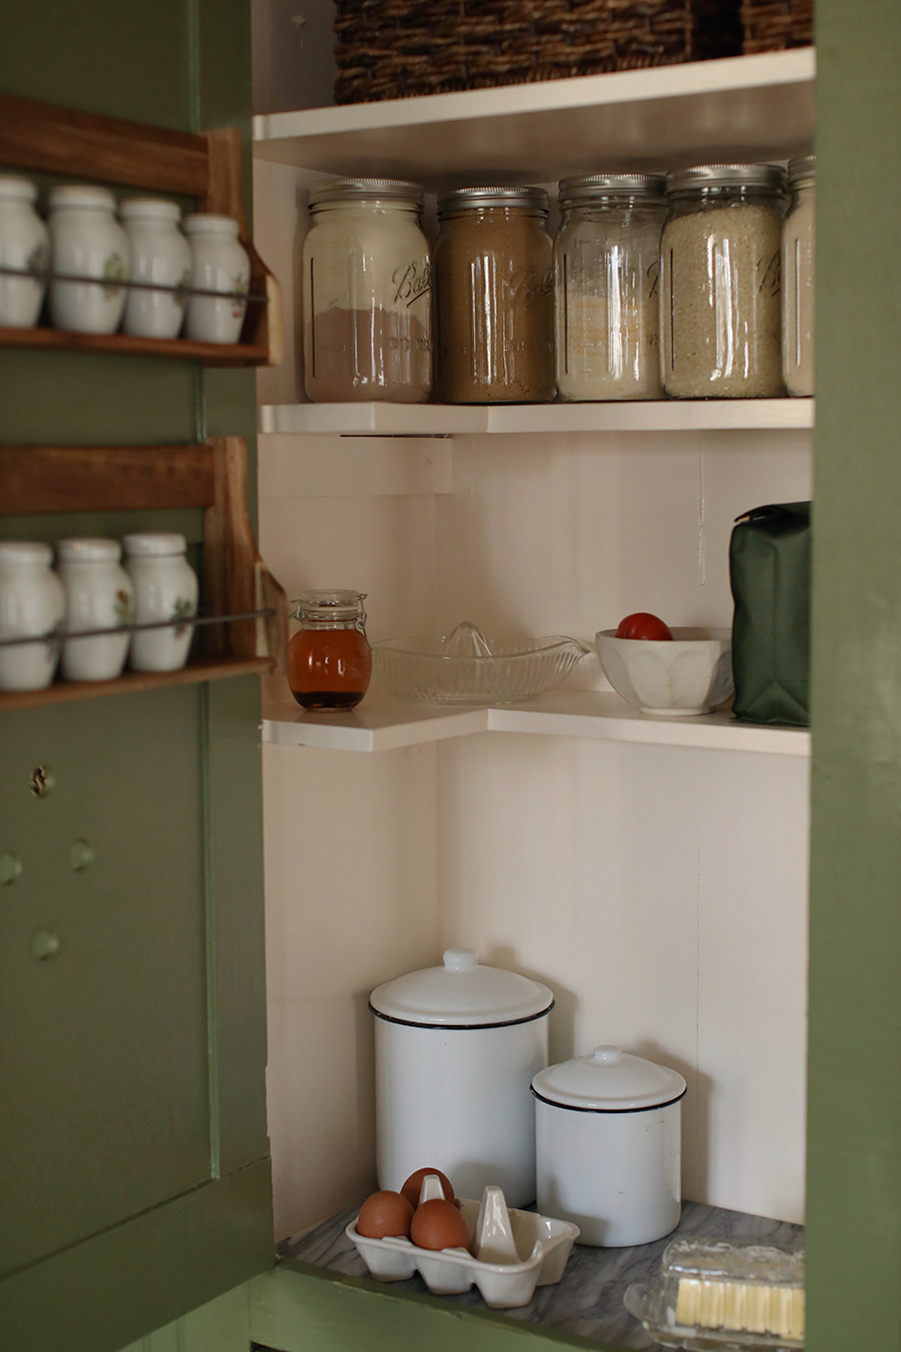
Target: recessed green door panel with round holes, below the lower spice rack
[{"x": 106, "y": 1042}]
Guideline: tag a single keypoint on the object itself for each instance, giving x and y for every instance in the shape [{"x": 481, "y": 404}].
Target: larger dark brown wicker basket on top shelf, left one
[{"x": 390, "y": 49}]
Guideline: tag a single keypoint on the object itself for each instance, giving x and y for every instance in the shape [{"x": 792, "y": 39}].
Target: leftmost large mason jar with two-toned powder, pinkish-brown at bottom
[{"x": 367, "y": 293}]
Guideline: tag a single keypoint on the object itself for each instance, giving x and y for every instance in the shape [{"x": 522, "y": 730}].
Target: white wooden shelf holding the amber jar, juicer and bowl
[{"x": 384, "y": 723}]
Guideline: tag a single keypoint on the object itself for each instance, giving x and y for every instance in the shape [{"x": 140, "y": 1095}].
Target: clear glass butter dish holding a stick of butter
[{"x": 719, "y": 1295}]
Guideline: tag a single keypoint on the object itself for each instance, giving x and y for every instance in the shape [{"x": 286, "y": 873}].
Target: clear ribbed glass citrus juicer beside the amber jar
[{"x": 467, "y": 669}]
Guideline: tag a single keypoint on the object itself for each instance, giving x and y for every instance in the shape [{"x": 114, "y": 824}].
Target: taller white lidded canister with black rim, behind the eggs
[{"x": 457, "y": 1048}]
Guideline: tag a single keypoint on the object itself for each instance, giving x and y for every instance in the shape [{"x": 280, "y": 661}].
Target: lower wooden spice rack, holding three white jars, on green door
[{"x": 213, "y": 477}]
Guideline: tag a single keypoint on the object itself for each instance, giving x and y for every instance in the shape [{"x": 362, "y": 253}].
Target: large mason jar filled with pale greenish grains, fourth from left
[{"x": 722, "y": 289}]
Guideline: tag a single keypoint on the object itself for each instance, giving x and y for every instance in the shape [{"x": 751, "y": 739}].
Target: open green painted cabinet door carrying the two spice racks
[{"x": 133, "y": 1138}]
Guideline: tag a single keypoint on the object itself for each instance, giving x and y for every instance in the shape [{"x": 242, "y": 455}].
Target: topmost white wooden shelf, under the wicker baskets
[{"x": 741, "y": 109}]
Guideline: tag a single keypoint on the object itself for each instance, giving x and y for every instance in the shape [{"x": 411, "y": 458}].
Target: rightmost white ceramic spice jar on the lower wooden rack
[{"x": 166, "y": 587}]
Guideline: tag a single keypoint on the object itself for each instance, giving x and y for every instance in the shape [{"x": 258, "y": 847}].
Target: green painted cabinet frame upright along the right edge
[{"x": 854, "y": 1136}]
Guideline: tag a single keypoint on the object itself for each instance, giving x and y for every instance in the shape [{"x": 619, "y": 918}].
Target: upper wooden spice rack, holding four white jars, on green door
[{"x": 41, "y": 137}]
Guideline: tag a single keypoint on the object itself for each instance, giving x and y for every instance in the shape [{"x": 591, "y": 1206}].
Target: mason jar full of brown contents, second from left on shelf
[{"x": 494, "y": 297}]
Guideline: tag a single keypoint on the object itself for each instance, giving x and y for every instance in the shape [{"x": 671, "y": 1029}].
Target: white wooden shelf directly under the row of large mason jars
[{"x": 378, "y": 420}]
